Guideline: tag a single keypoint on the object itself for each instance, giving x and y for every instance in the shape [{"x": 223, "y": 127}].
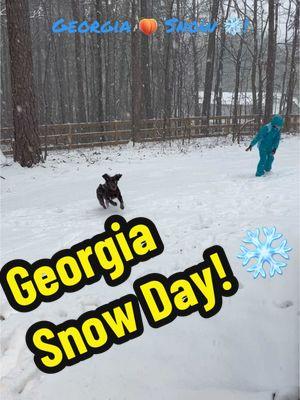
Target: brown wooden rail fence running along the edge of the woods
[{"x": 95, "y": 134}]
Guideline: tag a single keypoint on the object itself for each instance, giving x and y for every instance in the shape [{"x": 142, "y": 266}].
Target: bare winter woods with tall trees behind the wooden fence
[{"x": 89, "y": 77}]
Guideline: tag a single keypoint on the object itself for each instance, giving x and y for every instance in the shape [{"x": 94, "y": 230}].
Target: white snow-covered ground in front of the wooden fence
[{"x": 197, "y": 195}]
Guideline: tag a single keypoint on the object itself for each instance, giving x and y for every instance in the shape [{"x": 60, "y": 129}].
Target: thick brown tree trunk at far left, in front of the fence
[{"x": 27, "y": 148}]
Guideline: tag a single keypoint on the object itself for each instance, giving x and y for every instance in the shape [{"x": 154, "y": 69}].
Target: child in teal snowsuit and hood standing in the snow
[{"x": 268, "y": 138}]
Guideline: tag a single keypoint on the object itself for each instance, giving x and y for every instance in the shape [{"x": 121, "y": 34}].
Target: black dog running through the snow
[{"x": 109, "y": 191}]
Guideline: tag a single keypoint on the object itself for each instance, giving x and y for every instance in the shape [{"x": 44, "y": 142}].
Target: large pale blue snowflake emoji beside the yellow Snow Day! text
[{"x": 264, "y": 252}]
